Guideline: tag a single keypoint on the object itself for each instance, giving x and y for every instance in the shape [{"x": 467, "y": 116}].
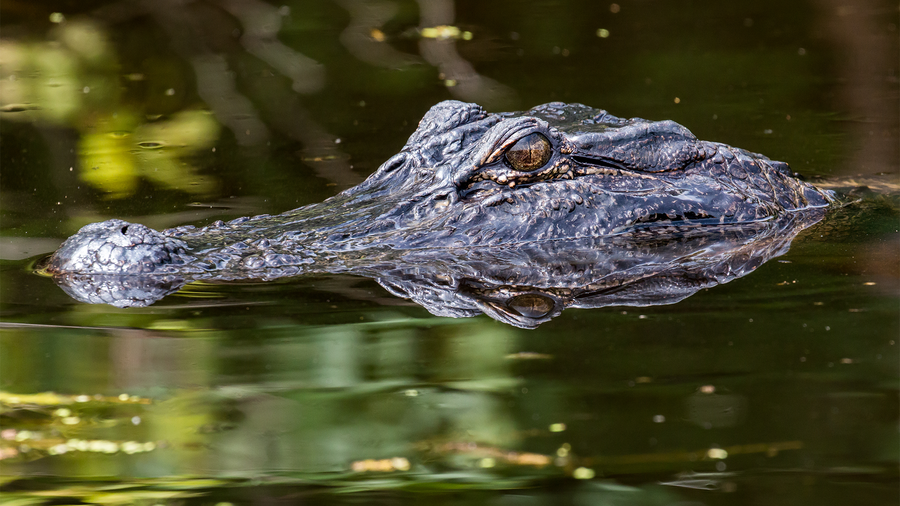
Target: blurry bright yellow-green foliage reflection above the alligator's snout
[{"x": 72, "y": 81}]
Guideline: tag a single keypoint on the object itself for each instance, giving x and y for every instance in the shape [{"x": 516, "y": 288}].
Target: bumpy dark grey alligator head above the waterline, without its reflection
[{"x": 459, "y": 183}]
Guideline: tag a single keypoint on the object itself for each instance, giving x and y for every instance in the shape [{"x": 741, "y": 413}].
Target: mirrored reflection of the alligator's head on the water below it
[{"x": 529, "y": 284}]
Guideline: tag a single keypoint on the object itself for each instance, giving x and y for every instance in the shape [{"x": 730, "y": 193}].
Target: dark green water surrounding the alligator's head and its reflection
[{"x": 778, "y": 388}]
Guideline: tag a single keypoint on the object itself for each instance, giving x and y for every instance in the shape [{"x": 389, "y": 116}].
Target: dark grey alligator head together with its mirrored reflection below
[{"x": 539, "y": 199}]
